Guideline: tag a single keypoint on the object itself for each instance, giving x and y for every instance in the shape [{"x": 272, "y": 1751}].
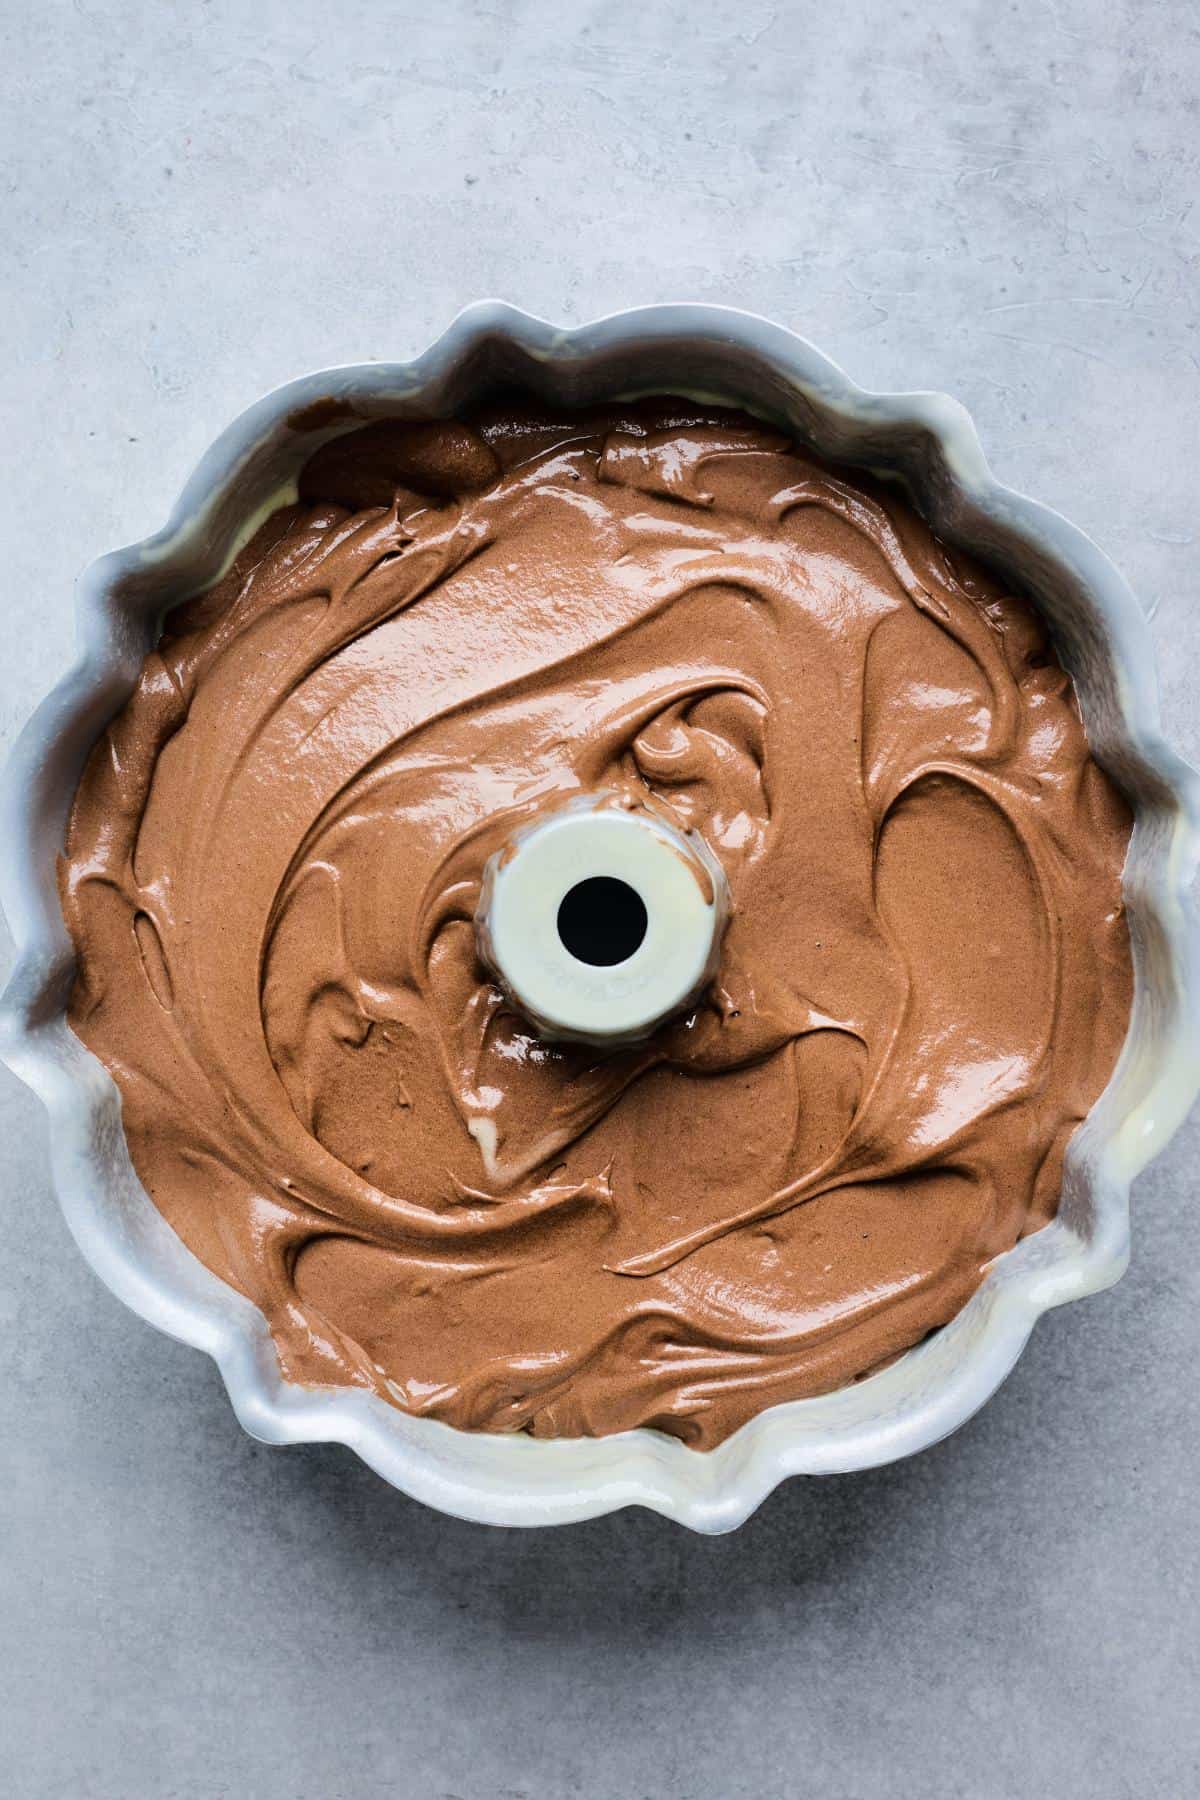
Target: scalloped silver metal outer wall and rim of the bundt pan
[{"x": 929, "y": 444}]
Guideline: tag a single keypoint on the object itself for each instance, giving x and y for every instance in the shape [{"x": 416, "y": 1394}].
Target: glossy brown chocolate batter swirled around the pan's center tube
[{"x": 276, "y": 854}]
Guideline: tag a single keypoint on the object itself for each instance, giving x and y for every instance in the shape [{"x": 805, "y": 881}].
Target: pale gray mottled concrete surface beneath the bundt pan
[{"x": 202, "y": 201}]
